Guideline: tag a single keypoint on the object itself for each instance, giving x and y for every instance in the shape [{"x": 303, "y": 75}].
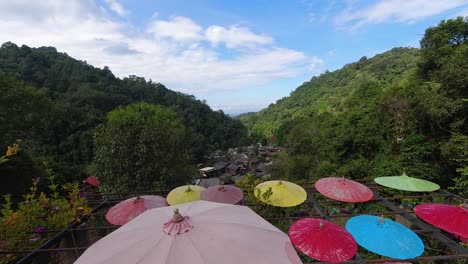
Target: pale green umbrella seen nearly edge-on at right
[{"x": 406, "y": 183}]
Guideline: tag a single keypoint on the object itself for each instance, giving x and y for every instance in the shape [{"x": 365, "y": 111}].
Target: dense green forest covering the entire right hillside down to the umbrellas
[{"x": 403, "y": 110}]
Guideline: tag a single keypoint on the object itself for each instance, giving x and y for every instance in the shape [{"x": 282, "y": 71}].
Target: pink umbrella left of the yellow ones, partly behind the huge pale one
[{"x": 126, "y": 210}]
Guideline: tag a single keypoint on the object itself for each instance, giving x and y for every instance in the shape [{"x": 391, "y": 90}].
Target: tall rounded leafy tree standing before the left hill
[{"x": 141, "y": 147}]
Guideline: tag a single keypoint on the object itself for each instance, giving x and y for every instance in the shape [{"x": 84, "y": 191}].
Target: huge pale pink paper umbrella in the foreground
[{"x": 199, "y": 232}]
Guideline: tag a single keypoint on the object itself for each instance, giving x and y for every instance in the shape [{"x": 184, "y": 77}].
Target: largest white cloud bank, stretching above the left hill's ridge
[{"x": 175, "y": 52}]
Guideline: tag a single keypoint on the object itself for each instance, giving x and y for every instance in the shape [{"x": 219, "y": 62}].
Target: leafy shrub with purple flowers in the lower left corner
[{"x": 25, "y": 227}]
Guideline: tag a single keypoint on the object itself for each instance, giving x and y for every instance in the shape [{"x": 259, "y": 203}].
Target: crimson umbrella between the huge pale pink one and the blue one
[{"x": 322, "y": 240}]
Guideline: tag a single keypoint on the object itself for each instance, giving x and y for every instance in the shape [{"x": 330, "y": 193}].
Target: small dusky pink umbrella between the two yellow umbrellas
[{"x": 223, "y": 194}]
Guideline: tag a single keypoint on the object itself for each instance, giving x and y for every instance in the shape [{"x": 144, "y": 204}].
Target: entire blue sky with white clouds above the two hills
[{"x": 238, "y": 56}]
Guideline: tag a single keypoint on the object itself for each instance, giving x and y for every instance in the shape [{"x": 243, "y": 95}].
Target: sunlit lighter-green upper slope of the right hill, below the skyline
[{"x": 327, "y": 92}]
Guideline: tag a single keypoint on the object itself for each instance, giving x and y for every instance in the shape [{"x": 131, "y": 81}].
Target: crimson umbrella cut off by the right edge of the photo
[{"x": 453, "y": 219}]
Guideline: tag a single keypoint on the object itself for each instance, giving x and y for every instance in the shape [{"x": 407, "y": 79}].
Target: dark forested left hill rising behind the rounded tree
[{"x": 54, "y": 102}]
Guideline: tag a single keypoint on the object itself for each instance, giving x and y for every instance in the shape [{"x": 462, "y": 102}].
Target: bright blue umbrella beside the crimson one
[{"x": 385, "y": 237}]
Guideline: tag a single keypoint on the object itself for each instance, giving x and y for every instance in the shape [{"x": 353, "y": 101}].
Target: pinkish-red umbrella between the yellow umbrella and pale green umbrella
[{"x": 344, "y": 190}]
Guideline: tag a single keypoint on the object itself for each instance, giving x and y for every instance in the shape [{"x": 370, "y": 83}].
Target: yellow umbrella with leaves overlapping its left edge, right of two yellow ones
[{"x": 284, "y": 193}]
